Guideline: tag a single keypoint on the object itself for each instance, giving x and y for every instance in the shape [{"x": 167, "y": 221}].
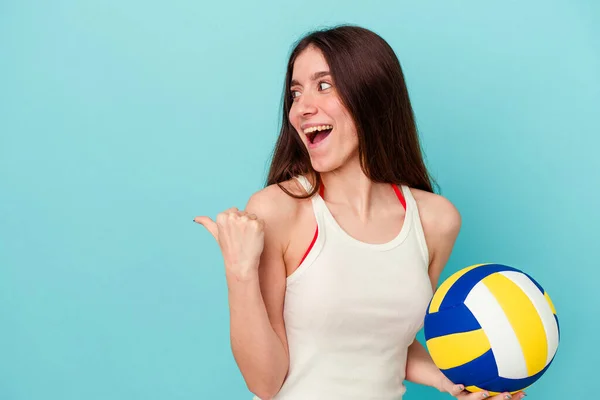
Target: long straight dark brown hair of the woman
[{"x": 370, "y": 83}]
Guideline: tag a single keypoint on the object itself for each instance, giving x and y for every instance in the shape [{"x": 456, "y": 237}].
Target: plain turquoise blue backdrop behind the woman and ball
[{"x": 121, "y": 121}]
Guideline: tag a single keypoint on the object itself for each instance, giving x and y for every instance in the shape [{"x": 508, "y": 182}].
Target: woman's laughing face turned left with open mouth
[{"x": 323, "y": 123}]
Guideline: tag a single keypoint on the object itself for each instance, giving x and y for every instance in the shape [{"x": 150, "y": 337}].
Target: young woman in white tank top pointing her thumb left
[{"x": 330, "y": 268}]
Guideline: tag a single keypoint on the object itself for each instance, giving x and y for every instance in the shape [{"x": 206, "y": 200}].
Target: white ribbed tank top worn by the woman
[{"x": 352, "y": 309}]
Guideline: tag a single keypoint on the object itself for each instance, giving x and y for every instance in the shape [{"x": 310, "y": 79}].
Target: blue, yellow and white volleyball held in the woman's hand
[{"x": 491, "y": 327}]
